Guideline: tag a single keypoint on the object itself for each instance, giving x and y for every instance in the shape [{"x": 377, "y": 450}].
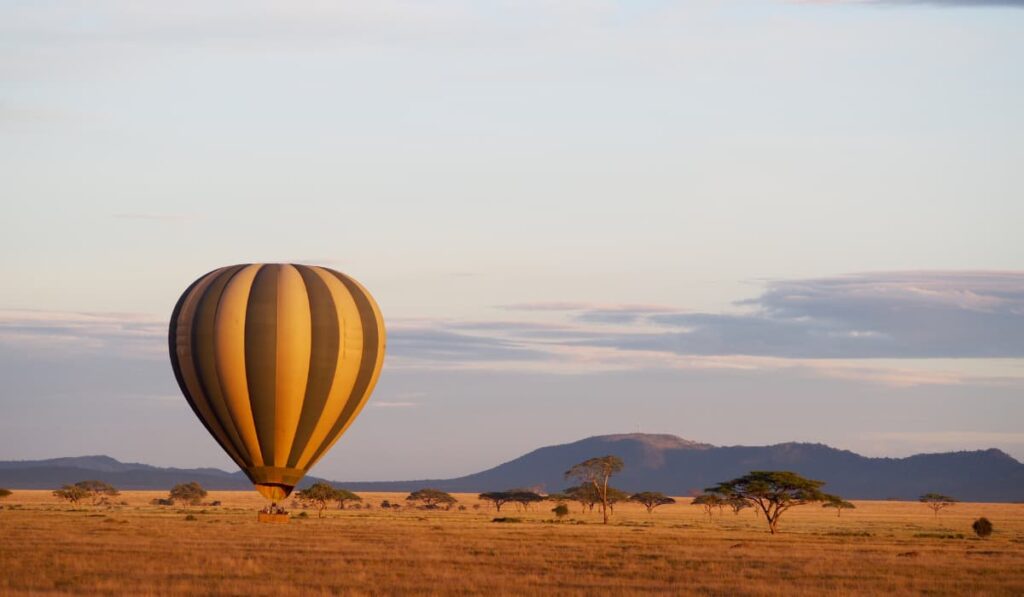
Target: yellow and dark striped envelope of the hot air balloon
[{"x": 277, "y": 361}]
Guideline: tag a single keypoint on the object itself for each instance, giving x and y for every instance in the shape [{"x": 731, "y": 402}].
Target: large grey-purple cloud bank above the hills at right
[{"x": 966, "y": 315}]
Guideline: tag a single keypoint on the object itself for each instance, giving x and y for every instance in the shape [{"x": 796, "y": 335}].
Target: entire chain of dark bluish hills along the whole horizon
[{"x": 663, "y": 463}]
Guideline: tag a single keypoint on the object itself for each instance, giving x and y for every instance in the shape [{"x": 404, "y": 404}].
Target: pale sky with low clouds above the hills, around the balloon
[{"x": 739, "y": 222}]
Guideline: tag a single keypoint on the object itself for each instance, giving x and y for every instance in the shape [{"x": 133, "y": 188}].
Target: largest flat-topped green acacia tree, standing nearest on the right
[{"x": 773, "y": 492}]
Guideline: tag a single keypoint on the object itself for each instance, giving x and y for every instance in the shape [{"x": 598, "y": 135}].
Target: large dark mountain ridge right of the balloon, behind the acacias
[{"x": 676, "y": 466}]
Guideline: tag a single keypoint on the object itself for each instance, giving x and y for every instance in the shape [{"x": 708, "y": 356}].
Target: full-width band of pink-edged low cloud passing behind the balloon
[{"x": 898, "y": 329}]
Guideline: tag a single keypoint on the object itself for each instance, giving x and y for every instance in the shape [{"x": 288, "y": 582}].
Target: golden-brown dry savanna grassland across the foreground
[{"x": 140, "y": 549}]
